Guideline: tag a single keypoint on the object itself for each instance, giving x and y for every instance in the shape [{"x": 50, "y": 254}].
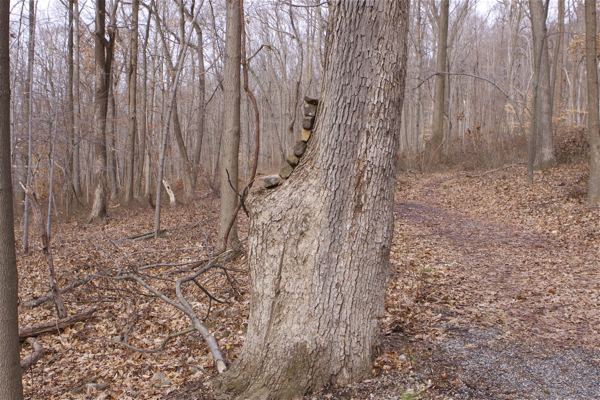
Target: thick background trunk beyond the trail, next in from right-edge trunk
[{"x": 541, "y": 116}]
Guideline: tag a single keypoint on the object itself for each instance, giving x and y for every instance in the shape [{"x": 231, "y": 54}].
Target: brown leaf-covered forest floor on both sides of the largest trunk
[{"x": 494, "y": 293}]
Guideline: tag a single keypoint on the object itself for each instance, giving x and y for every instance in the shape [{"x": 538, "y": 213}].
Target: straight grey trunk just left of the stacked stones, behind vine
[{"x": 230, "y": 139}]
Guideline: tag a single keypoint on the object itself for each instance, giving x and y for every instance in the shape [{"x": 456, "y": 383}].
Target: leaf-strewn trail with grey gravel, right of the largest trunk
[{"x": 519, "y": 306}]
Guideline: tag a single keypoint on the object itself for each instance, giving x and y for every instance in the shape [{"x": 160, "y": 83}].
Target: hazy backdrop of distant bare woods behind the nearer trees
[{"x": 468, "y": 122}]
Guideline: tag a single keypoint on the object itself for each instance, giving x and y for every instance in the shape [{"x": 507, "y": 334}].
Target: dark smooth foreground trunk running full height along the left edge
[{"x": 10, "y": 367}]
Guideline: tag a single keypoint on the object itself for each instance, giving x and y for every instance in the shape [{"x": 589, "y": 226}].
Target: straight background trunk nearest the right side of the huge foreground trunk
[{"x": 437, "y": 129}]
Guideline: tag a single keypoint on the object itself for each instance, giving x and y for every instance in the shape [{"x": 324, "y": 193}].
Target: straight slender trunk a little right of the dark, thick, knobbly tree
[{"x": 132, "y": 81}]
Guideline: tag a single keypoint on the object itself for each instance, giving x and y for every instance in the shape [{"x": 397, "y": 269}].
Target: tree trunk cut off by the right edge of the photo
[{"x": 592, "y": 91}]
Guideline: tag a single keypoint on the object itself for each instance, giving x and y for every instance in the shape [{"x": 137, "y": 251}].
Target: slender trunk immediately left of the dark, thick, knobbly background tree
[{"x": 76, "y": 102}]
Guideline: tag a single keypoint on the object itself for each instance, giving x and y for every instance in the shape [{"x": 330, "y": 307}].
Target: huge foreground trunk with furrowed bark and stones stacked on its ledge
[{"x": 319, "y": 245}]
